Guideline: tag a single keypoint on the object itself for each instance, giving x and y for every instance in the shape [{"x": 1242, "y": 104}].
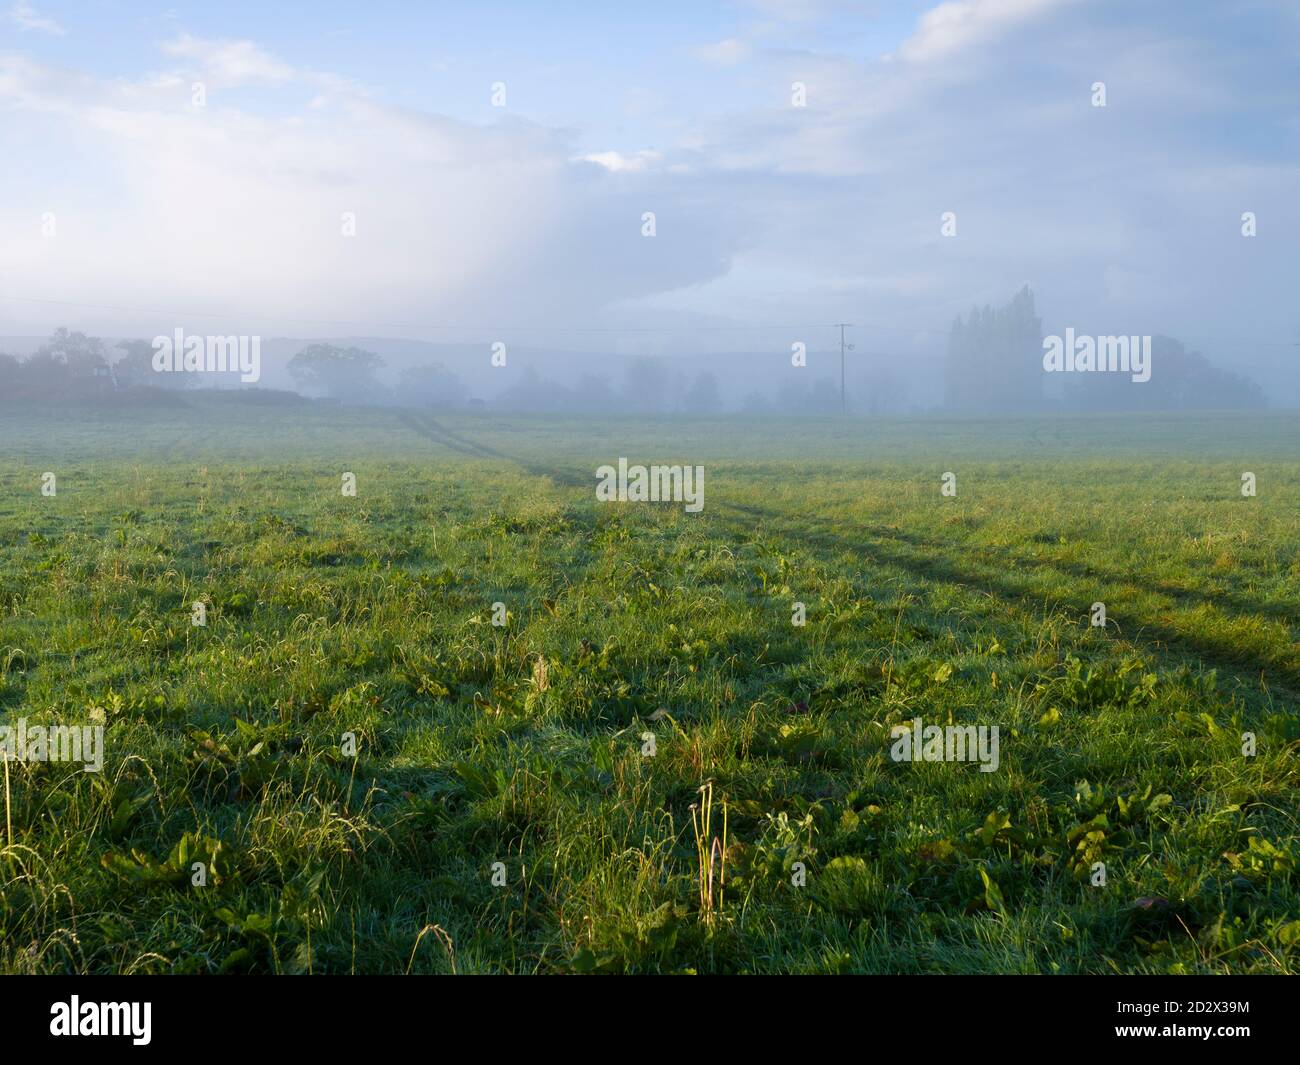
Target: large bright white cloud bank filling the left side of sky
[{"x": 236, "y": 213}]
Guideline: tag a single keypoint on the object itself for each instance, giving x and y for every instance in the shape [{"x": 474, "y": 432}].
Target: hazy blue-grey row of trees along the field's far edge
[{"x": 994, "y": 365}]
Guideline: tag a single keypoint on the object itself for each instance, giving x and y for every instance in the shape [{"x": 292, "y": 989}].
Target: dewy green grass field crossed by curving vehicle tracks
[{"x": 525, "y": 746}]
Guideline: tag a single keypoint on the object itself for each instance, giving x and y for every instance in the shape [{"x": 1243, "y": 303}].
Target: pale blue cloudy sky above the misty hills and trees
[{"x": 127, "y": 209}]
